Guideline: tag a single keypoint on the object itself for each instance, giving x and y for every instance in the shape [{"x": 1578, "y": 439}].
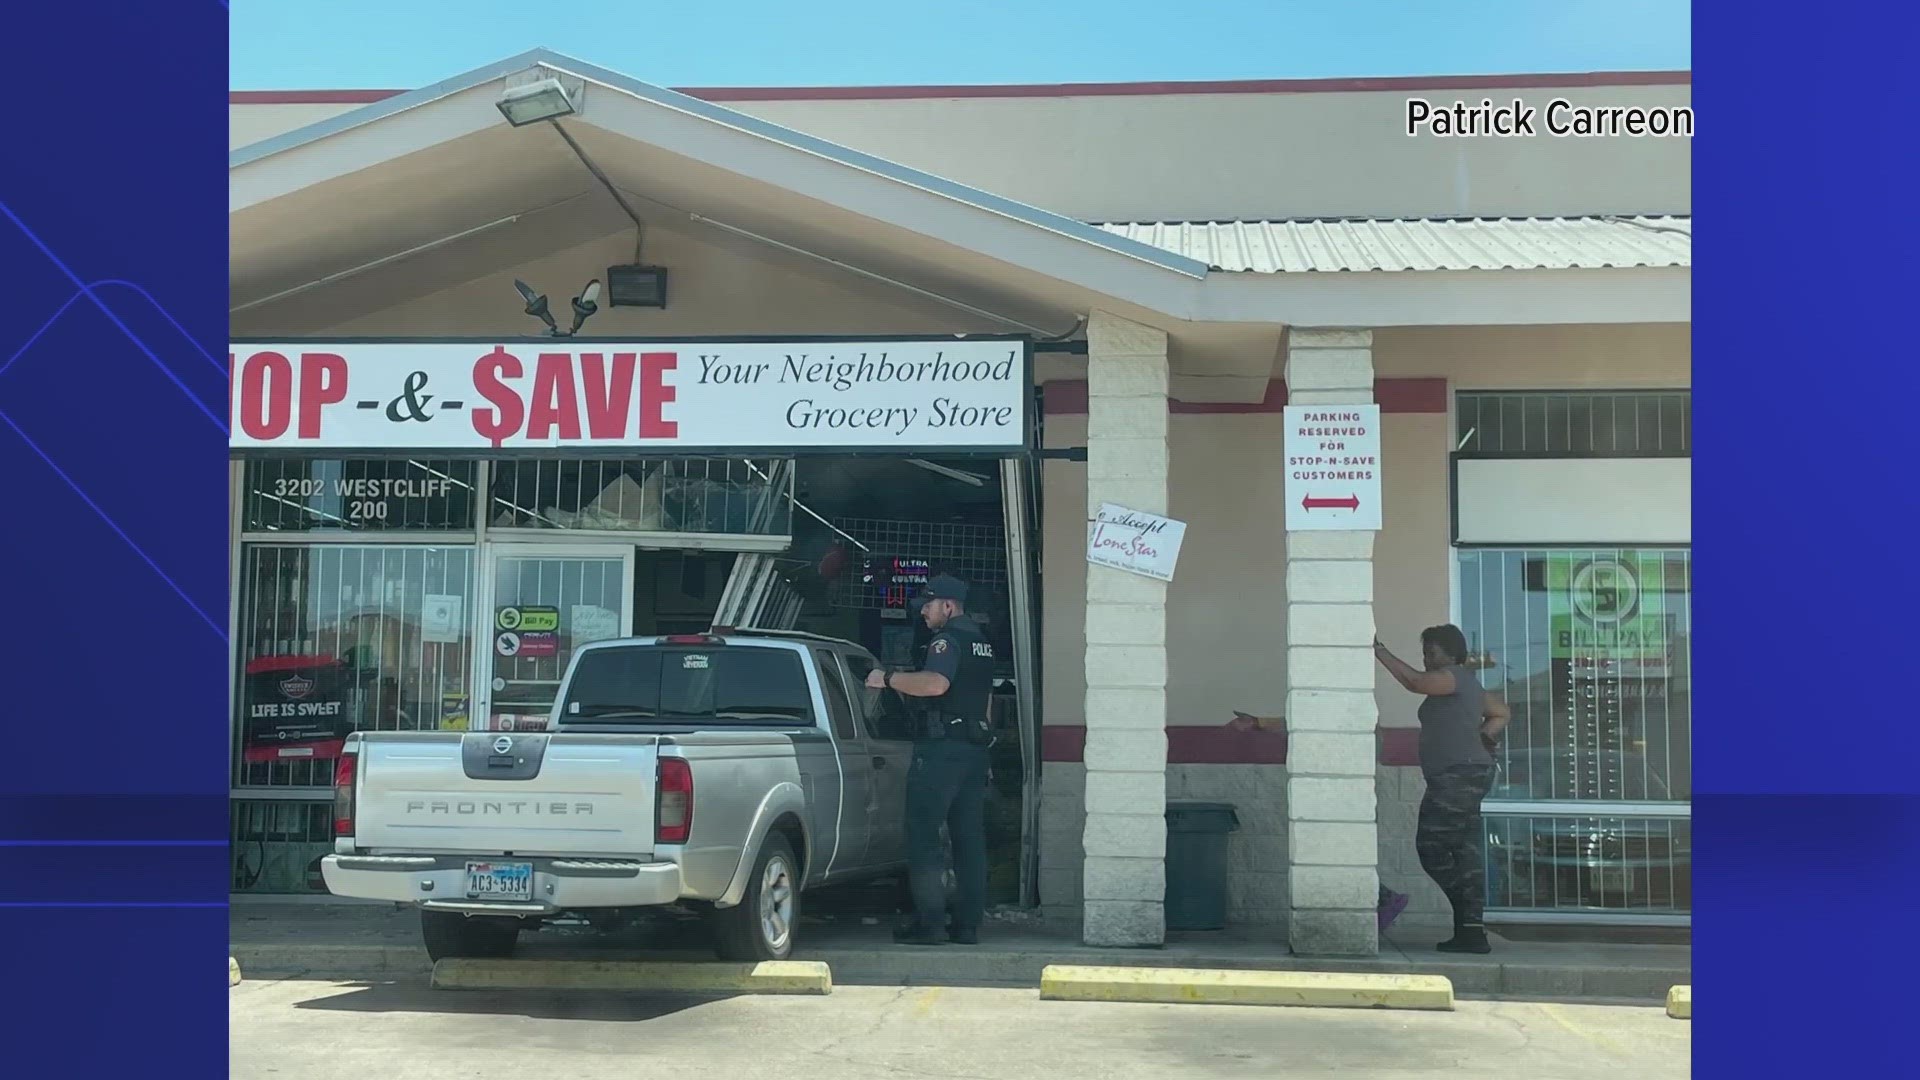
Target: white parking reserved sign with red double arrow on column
[{"x": 1333, "y": 468}]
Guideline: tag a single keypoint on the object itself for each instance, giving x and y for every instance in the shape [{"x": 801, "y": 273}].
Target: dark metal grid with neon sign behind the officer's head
[{"x": 901, "y": 554}]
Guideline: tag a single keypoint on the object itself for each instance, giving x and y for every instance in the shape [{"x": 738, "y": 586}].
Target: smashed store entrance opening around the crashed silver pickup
[{"x": 867, "y": 537}]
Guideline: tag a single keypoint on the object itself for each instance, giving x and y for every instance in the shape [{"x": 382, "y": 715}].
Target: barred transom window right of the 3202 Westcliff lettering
[{"x": 704, "y": 497}]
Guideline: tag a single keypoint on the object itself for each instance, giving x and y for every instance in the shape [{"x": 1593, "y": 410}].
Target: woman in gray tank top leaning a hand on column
[{"x": 1460, "y": 724}]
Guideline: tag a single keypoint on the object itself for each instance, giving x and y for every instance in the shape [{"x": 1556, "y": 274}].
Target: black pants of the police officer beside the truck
[{"x": 948, "y": 787}]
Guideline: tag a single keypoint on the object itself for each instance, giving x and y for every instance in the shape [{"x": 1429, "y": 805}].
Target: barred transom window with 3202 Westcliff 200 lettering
[{"x": 360, "y": 495}]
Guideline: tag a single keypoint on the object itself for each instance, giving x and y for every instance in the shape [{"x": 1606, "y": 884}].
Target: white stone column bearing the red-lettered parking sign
[{"x": 1332, "y": 716}]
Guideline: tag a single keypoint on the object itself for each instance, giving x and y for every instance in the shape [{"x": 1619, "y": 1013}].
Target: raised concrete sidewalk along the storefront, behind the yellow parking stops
[{"x": 360, "y": 941}]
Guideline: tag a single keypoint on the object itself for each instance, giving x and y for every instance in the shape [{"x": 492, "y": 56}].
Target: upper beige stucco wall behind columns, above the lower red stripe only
[{"x": 1228, "y": 602}]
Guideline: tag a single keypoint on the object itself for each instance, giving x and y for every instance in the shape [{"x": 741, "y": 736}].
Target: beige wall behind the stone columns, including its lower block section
[{"x": 1228, "y": 602}]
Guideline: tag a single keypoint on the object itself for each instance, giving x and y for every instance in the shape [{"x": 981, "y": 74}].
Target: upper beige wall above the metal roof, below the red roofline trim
[{"x": 1212, "y": 157}]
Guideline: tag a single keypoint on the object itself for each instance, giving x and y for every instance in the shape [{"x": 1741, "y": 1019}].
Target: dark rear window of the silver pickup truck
[{"x": 719, "y": 685}]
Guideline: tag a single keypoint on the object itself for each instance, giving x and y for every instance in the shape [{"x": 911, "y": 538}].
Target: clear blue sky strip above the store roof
[{"x": 310, "y": 45}]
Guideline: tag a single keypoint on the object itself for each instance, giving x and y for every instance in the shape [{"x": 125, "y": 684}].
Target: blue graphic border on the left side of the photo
[{"x": 114, "y": 860}]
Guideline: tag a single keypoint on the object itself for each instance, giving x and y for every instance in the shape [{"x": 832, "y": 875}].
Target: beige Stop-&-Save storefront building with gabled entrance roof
[{"x": 1168, "y": 268}]
